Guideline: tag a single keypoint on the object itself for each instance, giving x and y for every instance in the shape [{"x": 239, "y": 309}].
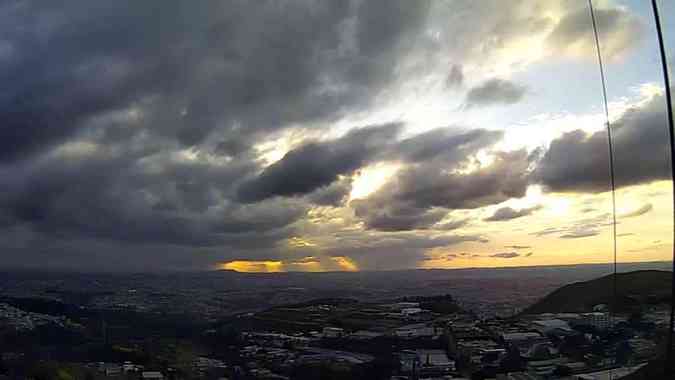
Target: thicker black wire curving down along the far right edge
[{"x": 671, "y": 134}]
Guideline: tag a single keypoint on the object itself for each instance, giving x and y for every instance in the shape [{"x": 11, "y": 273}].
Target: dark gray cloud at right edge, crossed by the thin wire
[{"x": 578, "y": 162}]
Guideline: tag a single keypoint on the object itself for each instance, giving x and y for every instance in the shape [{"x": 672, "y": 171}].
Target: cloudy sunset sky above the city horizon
[{"x": 329, "y": 135}]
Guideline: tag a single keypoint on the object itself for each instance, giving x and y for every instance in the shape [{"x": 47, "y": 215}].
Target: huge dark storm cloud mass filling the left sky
[{"x": 103, "y": 107}]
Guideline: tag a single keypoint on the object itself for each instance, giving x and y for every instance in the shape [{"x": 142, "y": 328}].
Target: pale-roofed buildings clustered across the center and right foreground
[{"x": 460, "y": 345}]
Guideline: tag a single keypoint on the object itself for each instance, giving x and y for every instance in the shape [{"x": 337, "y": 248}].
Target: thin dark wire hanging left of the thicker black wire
[{"x": 611, "y": 155}]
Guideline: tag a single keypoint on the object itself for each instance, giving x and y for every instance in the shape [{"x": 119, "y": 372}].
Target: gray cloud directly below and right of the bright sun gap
[{"x": 418, "y": 196}]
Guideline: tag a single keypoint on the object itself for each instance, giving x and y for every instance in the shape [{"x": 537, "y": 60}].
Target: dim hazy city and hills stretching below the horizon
[{"x": 518, "y": 323}]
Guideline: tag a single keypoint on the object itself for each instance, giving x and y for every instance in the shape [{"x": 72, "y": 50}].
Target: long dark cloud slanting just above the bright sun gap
[{"x": 315, "y": 165}]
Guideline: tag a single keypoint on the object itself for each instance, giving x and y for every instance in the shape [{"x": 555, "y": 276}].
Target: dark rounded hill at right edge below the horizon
[{"x": 633, "y": 289}]
